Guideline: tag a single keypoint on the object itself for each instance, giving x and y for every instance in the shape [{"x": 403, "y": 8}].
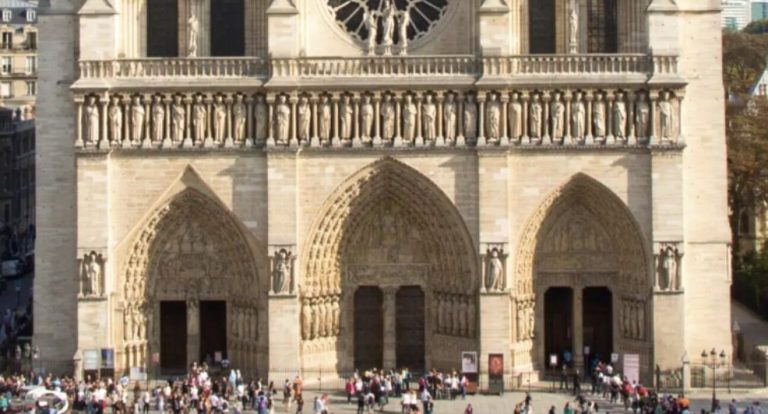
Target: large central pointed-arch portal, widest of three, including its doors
[{"x": 390, "y": 228}]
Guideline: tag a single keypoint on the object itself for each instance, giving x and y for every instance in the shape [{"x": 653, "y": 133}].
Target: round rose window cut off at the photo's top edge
[{"x": 351, "y": 16}]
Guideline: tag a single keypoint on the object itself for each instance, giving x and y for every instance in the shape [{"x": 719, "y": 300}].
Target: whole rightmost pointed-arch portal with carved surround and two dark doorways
[{"x": 584, "y": 246}]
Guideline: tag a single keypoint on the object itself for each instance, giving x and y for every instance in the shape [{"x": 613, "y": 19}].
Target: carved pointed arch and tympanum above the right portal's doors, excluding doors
[{"x": 583, "y": 226}]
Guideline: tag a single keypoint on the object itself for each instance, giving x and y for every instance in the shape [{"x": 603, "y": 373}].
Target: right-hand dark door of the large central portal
[{"x": 409, "y": 328}]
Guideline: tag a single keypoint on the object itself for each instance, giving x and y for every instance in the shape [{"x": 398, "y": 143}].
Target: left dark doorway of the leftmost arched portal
[{"x": 173, "y": 337}]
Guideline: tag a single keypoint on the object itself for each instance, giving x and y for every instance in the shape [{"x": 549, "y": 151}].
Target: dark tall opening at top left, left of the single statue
[{"x": 162, "y": 28}]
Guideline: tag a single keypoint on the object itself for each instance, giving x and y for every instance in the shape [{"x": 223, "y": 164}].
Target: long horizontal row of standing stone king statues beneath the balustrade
[{"x": 355, "y": 119}]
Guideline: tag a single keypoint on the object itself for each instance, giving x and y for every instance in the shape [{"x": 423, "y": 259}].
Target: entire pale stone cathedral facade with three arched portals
[{"x": 326, "y": 185}]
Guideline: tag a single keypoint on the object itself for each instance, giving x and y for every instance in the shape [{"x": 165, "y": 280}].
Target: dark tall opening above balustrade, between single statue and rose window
[{"x": 227, "y": 28}]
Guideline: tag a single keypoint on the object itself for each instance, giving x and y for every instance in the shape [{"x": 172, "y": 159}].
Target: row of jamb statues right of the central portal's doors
[{"x": 455, "y": 315}]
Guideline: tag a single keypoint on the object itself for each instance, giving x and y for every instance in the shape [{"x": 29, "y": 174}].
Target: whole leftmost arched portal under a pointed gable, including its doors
[{"x": 190, "y": 267}]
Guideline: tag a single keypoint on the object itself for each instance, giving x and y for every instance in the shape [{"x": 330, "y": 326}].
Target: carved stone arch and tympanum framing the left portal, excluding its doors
[{"x": 189, "y": 250}]
